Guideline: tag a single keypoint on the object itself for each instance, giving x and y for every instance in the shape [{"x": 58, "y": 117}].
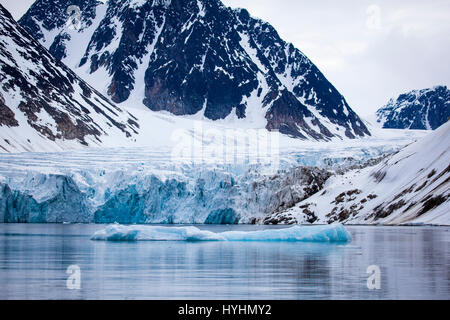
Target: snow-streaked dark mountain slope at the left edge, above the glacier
[{"x": 44, "y": 105}]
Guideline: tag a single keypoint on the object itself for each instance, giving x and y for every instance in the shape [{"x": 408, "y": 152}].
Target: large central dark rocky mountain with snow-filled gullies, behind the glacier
[{"x": 194, "y": 57}]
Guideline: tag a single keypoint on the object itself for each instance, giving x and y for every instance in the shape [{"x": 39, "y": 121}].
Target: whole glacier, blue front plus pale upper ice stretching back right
[{"x": 146, "y": 185}]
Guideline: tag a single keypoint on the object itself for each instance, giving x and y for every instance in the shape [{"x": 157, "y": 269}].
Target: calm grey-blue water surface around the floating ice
[{"x": 414, "y": 263}]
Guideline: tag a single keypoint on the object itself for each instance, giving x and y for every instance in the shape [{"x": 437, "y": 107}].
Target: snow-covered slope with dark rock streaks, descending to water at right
[{"x": 412, "y": 186}]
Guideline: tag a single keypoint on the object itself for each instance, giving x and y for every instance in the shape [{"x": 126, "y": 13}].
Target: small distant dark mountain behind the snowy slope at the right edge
[{"x": 425, "y": 109}]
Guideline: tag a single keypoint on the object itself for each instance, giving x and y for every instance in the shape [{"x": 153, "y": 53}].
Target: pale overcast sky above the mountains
[{"x": 369, "y": 50}]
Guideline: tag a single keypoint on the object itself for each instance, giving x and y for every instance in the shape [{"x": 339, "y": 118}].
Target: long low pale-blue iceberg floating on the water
[{"x": 328, "y": 233}]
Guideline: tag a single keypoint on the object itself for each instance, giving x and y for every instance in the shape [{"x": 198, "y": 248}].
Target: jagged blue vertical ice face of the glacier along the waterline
[{"x": 213, "y": 196}]
